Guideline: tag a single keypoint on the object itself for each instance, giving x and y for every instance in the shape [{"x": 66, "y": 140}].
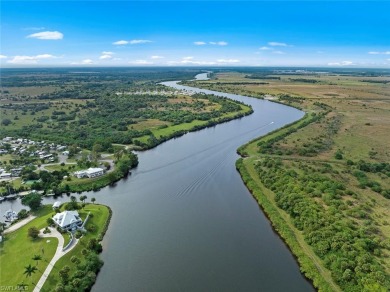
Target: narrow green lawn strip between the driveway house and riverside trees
[{"x": 100, "y": 216}]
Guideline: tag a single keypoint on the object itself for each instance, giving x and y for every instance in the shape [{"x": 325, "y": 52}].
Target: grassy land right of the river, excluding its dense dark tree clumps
[{"x": 352, "y": 119}]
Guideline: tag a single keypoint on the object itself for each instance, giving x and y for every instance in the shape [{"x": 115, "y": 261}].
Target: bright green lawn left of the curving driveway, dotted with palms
[{"x": 17, "y": 251}]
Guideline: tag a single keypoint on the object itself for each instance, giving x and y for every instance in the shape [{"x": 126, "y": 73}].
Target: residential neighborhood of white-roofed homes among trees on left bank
[{"x": 52, "y": 169}]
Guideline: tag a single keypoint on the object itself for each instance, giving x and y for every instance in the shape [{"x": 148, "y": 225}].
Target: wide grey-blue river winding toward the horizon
[{"x": 184, "y": 220}]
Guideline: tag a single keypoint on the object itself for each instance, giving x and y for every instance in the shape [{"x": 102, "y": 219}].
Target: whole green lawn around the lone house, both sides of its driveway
[{"x": 17, "y": 250}]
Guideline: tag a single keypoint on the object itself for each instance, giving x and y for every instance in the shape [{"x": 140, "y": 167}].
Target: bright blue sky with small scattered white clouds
[{"x": 195, "y": 33}]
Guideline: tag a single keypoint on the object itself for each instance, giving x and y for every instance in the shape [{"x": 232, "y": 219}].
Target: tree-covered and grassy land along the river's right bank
[{"x": 316, "y": 181}]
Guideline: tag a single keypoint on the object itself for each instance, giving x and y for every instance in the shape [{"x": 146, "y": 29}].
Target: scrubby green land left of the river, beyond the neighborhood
[{"x": 103, "y": 107}]
